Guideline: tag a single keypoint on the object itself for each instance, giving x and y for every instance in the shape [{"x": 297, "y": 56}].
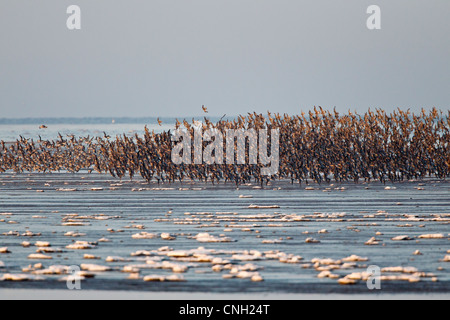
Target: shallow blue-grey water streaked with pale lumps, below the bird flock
[{"x": 351, "y": 217}]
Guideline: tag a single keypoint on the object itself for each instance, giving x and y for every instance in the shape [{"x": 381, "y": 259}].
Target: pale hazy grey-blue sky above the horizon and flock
[{"x": 168, "y": 57}]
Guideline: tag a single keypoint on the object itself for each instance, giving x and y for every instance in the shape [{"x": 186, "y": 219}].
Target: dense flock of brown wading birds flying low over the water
[{"x": 318, "y": 146}]
